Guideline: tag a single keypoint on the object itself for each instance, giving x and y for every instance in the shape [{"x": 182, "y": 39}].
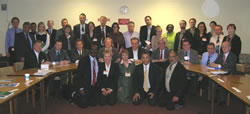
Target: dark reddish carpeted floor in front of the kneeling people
[{"x": 57, "y": 105}]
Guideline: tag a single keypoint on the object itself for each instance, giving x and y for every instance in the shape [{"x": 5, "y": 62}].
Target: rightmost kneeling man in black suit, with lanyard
[{"x": 174, "y": 83}]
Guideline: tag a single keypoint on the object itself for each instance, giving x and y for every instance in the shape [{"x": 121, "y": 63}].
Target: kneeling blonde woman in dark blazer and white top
[{"x": 107, "y": 79}]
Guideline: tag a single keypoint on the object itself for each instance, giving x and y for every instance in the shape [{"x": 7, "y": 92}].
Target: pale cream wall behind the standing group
[{"x": 163, "y": 12}]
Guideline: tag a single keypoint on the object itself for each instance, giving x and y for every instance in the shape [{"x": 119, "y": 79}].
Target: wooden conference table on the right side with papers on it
[{"x": 238, "y": 85}]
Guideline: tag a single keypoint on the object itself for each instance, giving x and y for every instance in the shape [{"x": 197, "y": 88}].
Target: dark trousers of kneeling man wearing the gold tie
[{"x": 144, "y": 96}]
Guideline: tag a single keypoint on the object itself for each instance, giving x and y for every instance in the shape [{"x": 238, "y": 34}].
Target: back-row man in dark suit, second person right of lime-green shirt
[{"x": 195, "y": 33}]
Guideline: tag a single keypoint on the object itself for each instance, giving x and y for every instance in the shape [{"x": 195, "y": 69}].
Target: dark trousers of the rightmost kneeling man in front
[{"x": 165, "y": 100}]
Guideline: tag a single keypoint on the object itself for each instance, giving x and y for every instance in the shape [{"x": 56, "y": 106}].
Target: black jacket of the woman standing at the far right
[{"x": 235, "y": 45}]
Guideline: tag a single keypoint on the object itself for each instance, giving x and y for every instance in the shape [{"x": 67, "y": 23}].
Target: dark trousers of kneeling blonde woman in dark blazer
[{"x": 109, "y": 99}]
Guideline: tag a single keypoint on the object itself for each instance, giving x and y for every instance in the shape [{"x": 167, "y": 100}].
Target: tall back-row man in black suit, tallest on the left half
[{"x": 81, "y": 29}]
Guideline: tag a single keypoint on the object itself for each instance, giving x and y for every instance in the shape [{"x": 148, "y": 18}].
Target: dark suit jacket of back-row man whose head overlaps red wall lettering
[{"x": 98, "y": 33}]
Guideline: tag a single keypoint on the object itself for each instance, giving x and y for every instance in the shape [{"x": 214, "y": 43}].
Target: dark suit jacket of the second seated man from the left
[{"x": 53, "y": 58}]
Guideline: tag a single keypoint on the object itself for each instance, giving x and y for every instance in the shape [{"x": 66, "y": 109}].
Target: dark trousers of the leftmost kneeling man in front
[{"x": 90, "y": 98}]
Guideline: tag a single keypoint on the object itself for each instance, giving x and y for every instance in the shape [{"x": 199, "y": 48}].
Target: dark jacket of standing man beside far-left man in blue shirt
[{"x": 21, "y": 45}]
